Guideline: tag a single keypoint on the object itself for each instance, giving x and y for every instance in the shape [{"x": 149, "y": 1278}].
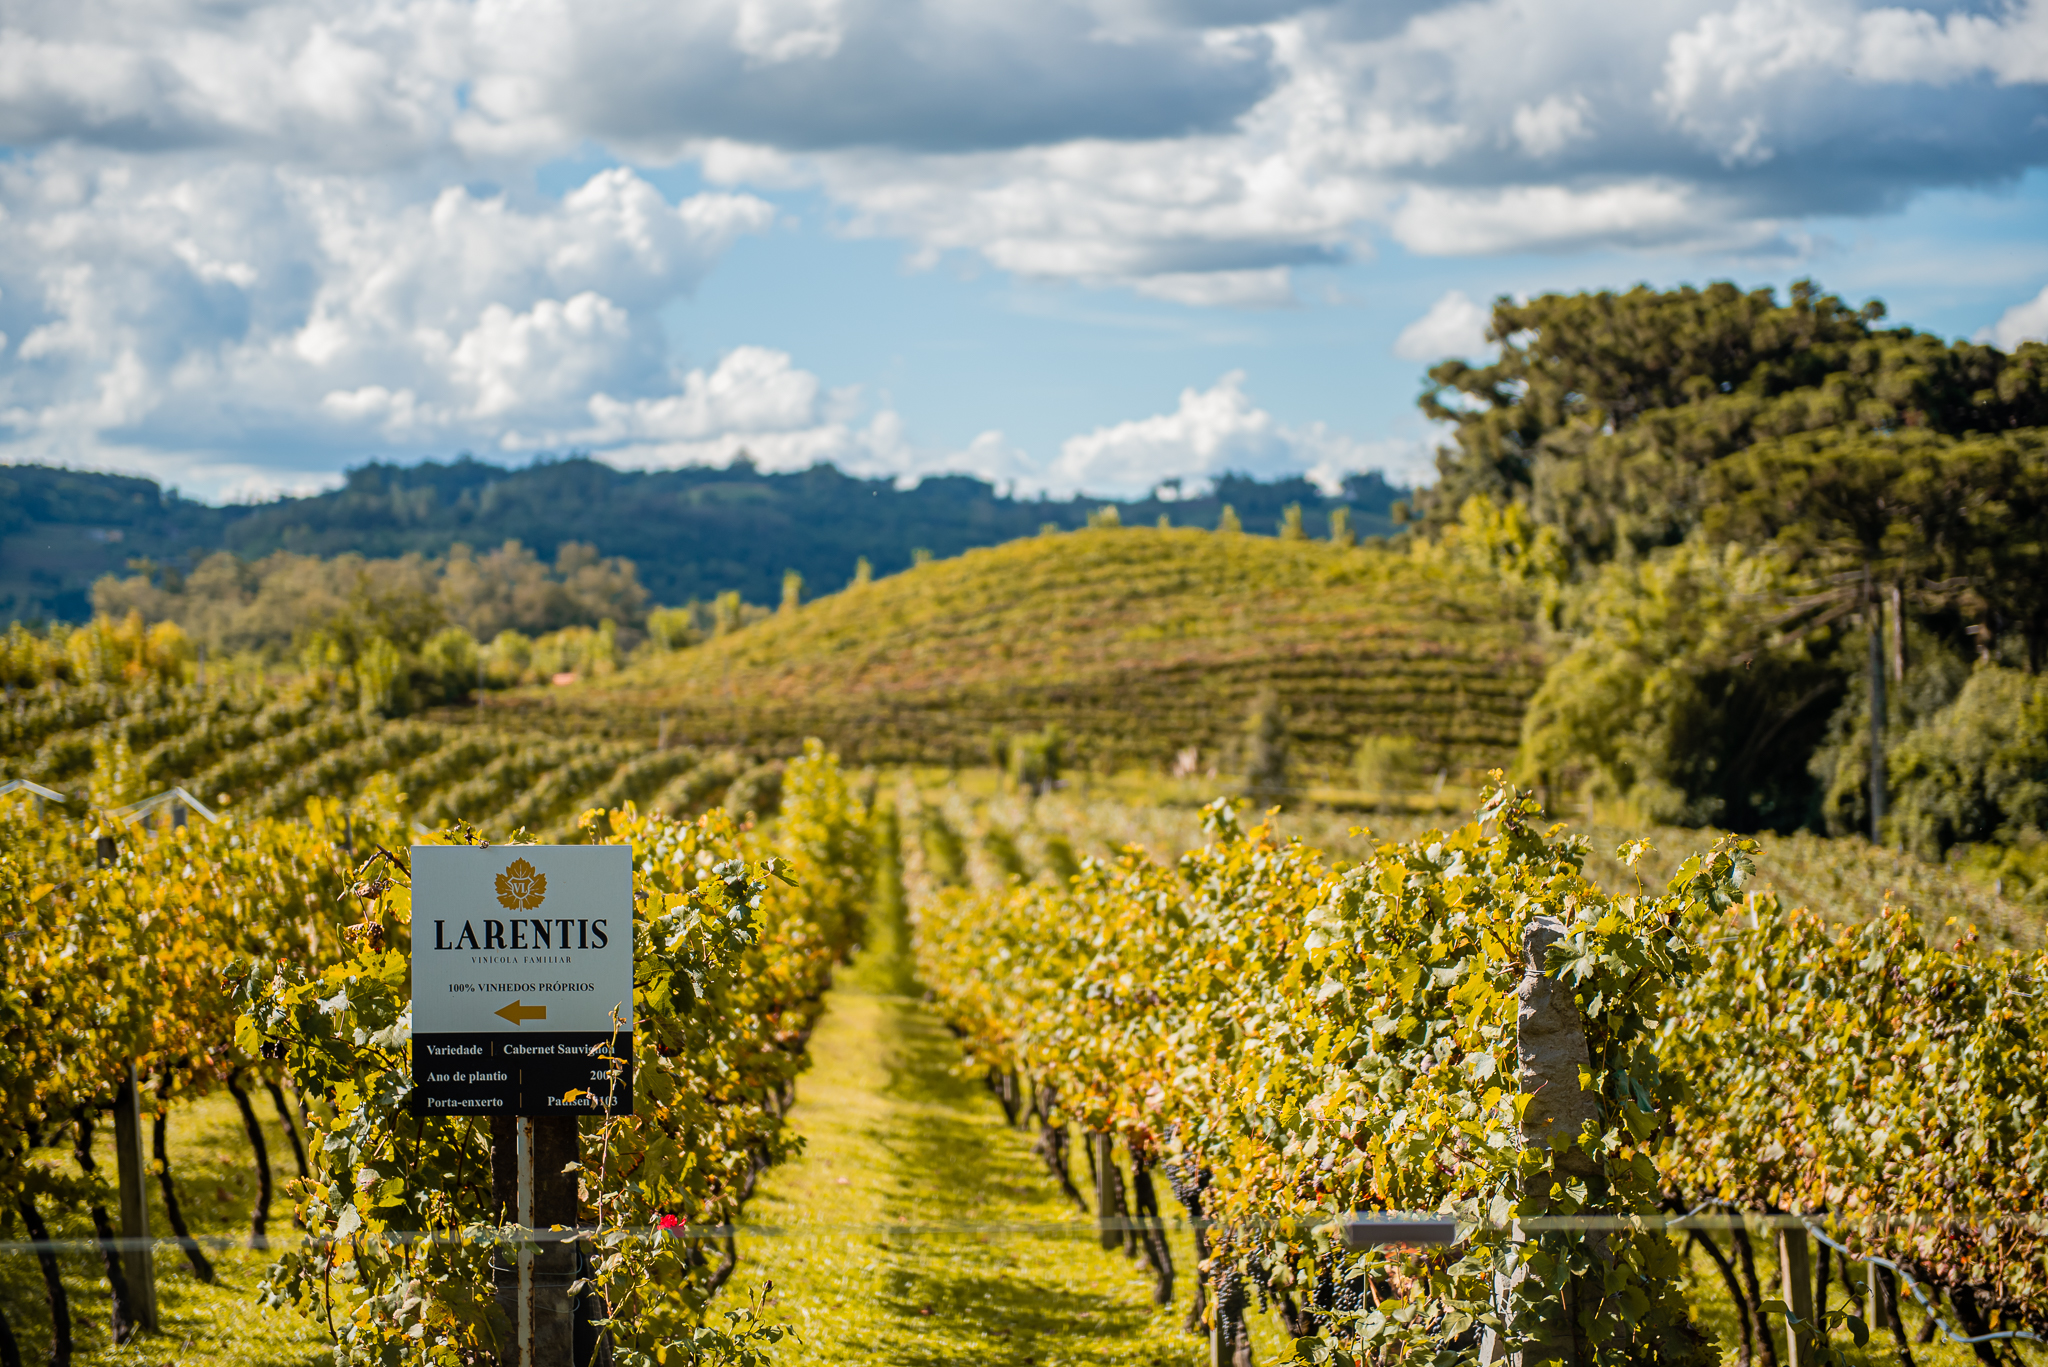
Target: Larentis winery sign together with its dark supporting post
[{"x": 523, "y": 1016}]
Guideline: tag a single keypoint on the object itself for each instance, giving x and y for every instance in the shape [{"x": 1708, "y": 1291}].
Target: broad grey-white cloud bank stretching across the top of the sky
[{"x": 1197, "y": 153}]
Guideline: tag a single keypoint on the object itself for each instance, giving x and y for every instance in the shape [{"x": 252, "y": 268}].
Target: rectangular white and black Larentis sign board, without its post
[{"x": 523, "y": 979}]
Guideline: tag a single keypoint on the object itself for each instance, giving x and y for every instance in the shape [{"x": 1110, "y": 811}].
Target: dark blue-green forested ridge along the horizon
[{"x": 693, "y": 534}]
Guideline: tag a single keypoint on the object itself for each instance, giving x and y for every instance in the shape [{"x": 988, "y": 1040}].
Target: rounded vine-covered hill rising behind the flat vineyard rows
[{"x": 1138, "y": 643}]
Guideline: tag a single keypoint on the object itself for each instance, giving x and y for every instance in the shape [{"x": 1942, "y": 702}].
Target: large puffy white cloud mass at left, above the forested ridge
[{"x": 187, "y": 306}]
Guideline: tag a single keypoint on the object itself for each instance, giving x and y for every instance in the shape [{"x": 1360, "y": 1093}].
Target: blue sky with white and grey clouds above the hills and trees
[{"x": 1070, "y": 245}]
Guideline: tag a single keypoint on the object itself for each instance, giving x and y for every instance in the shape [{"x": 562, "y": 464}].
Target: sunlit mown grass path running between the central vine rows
[{"x": 898, "y": 1145}]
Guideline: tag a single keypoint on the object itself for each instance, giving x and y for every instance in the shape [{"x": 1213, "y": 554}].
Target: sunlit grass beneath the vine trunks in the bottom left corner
[{"x": 216, "y": 1325}]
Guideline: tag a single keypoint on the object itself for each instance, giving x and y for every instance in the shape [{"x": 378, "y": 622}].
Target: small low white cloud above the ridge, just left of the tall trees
[{"x": 1213, "y": 431}]
